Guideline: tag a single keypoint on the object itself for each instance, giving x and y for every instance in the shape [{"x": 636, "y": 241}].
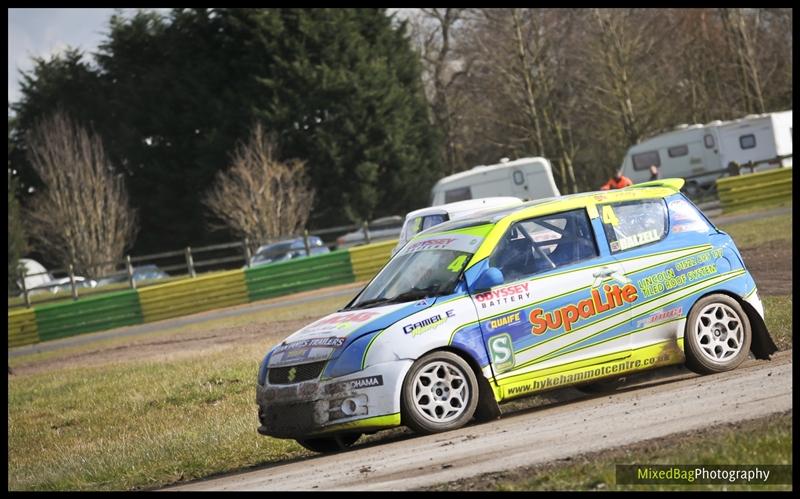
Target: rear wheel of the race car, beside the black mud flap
[{"x": 717, "y": 336}]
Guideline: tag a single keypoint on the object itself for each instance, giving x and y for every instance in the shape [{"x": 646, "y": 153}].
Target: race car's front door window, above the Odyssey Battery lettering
[{"x": 544, "y": 243}]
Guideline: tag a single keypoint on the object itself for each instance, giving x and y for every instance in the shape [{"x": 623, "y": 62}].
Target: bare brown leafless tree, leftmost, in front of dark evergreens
[{"x": 82, "y": 216}]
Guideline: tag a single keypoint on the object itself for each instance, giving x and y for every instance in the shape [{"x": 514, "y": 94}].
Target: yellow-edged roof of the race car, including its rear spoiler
[{"x": 646, "y": 190}]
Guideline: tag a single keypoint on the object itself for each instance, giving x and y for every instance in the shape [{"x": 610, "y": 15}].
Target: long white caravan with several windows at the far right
[{"x": 691, "y": 150}]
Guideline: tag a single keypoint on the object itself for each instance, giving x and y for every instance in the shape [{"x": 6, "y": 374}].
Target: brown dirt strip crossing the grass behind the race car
[{"x": 770, "y": 265}]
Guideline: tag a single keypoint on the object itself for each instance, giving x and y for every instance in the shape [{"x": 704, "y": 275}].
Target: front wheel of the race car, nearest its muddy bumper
[{"x": 440, "y": 393}]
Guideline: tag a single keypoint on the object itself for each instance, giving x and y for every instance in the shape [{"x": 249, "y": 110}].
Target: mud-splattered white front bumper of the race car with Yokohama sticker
[{"x": 366, "y": 400}]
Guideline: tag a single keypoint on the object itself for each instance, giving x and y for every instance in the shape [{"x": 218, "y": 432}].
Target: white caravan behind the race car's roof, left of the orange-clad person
[{"x": 525, "y": 178}]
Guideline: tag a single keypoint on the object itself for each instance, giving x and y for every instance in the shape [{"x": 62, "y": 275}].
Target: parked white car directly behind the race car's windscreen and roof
[{"x": 425, "y": 218}]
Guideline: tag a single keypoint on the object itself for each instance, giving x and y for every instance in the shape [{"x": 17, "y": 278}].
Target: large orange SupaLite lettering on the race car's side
[{"x": 598, "y": 302}]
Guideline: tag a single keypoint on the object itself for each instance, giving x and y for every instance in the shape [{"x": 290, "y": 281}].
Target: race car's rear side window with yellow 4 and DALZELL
[{"x": 634, "y": 223}]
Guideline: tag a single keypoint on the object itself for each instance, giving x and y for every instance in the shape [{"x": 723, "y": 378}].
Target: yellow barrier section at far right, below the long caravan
[{"x": 772, "y": 186}]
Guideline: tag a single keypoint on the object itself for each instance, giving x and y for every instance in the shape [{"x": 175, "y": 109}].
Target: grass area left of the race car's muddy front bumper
[{"x": 138, "y": 424}]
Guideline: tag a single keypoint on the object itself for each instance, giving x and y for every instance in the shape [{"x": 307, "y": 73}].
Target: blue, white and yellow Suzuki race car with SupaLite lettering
[{"x": 548, "y": 294}]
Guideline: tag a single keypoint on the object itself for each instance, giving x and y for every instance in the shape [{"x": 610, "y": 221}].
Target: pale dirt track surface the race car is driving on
[{"x": 655, "y": 409}]
